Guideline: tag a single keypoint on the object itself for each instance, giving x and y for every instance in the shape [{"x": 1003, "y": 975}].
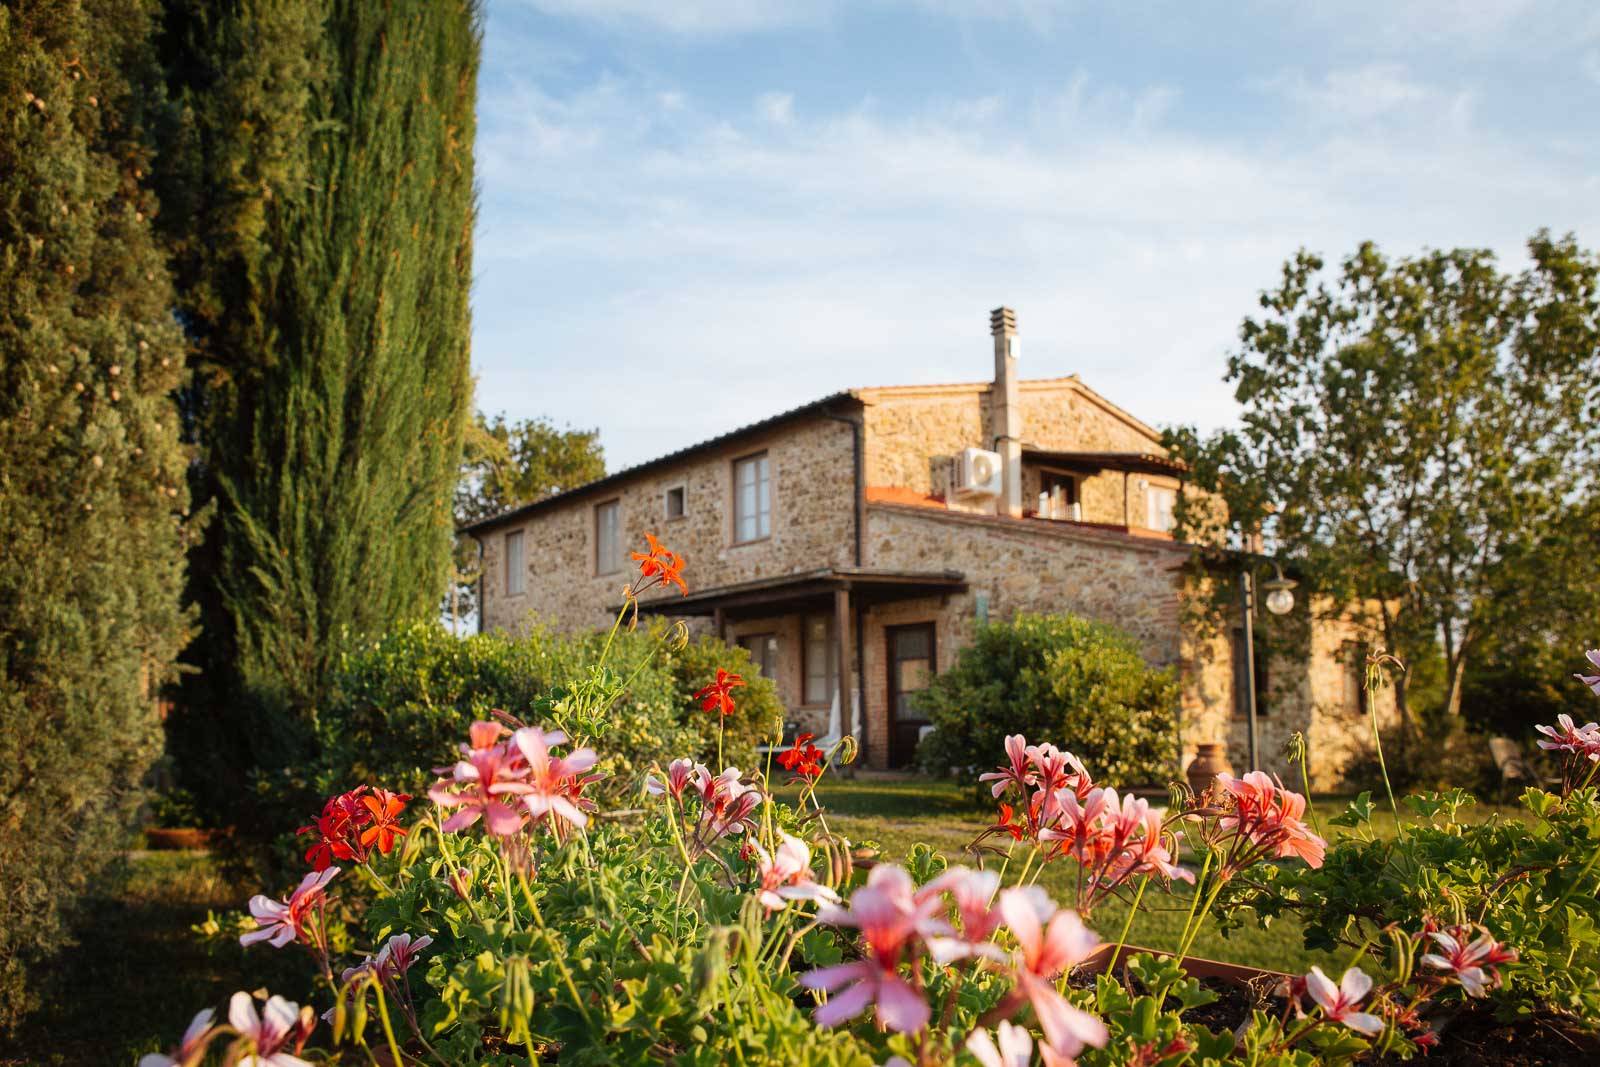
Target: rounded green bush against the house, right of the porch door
[{"x": 1060, "y": 679}]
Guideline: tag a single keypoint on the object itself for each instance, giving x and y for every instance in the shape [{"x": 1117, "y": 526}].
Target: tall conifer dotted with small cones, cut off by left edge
[{"x": 92, "y": 481}]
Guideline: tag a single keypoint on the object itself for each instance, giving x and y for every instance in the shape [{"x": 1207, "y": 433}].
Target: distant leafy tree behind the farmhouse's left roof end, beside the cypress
[{"x": 508, "y": 465}]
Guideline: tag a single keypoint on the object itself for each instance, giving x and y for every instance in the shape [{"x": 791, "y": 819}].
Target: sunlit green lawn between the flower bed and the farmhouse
[{"x": 897, "y": 813}]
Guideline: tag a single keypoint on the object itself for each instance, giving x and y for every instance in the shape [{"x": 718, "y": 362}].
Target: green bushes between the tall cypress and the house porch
[{"x": 407, "y": 698}]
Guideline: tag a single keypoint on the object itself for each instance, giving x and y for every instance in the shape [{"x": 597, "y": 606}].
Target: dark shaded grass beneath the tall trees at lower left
[{"x": 138, "y": 972}]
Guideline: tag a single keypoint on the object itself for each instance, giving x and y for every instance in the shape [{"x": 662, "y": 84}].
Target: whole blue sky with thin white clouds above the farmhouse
[{"x": 695, "y": 214}]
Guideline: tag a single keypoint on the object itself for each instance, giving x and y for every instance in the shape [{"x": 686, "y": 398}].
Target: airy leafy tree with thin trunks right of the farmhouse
[{"x": 1415, "y": 436}]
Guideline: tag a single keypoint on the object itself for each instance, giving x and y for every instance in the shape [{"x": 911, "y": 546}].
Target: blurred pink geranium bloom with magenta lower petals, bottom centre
[{"x": 890, "y": 921}]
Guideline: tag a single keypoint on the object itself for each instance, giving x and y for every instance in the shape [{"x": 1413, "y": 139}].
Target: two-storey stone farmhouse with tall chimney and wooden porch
[{"x": 854, "y": 543}]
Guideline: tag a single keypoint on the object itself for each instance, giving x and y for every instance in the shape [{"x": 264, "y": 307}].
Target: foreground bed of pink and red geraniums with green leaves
[{"x": 508, "y": 919}]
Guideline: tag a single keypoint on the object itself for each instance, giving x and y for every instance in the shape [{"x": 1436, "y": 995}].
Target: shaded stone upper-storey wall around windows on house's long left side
[{"x": 814, "y": 527}]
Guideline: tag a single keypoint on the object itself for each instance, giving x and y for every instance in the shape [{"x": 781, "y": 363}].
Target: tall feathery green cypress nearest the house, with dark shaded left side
[{"x": 322, "y": 249}]
